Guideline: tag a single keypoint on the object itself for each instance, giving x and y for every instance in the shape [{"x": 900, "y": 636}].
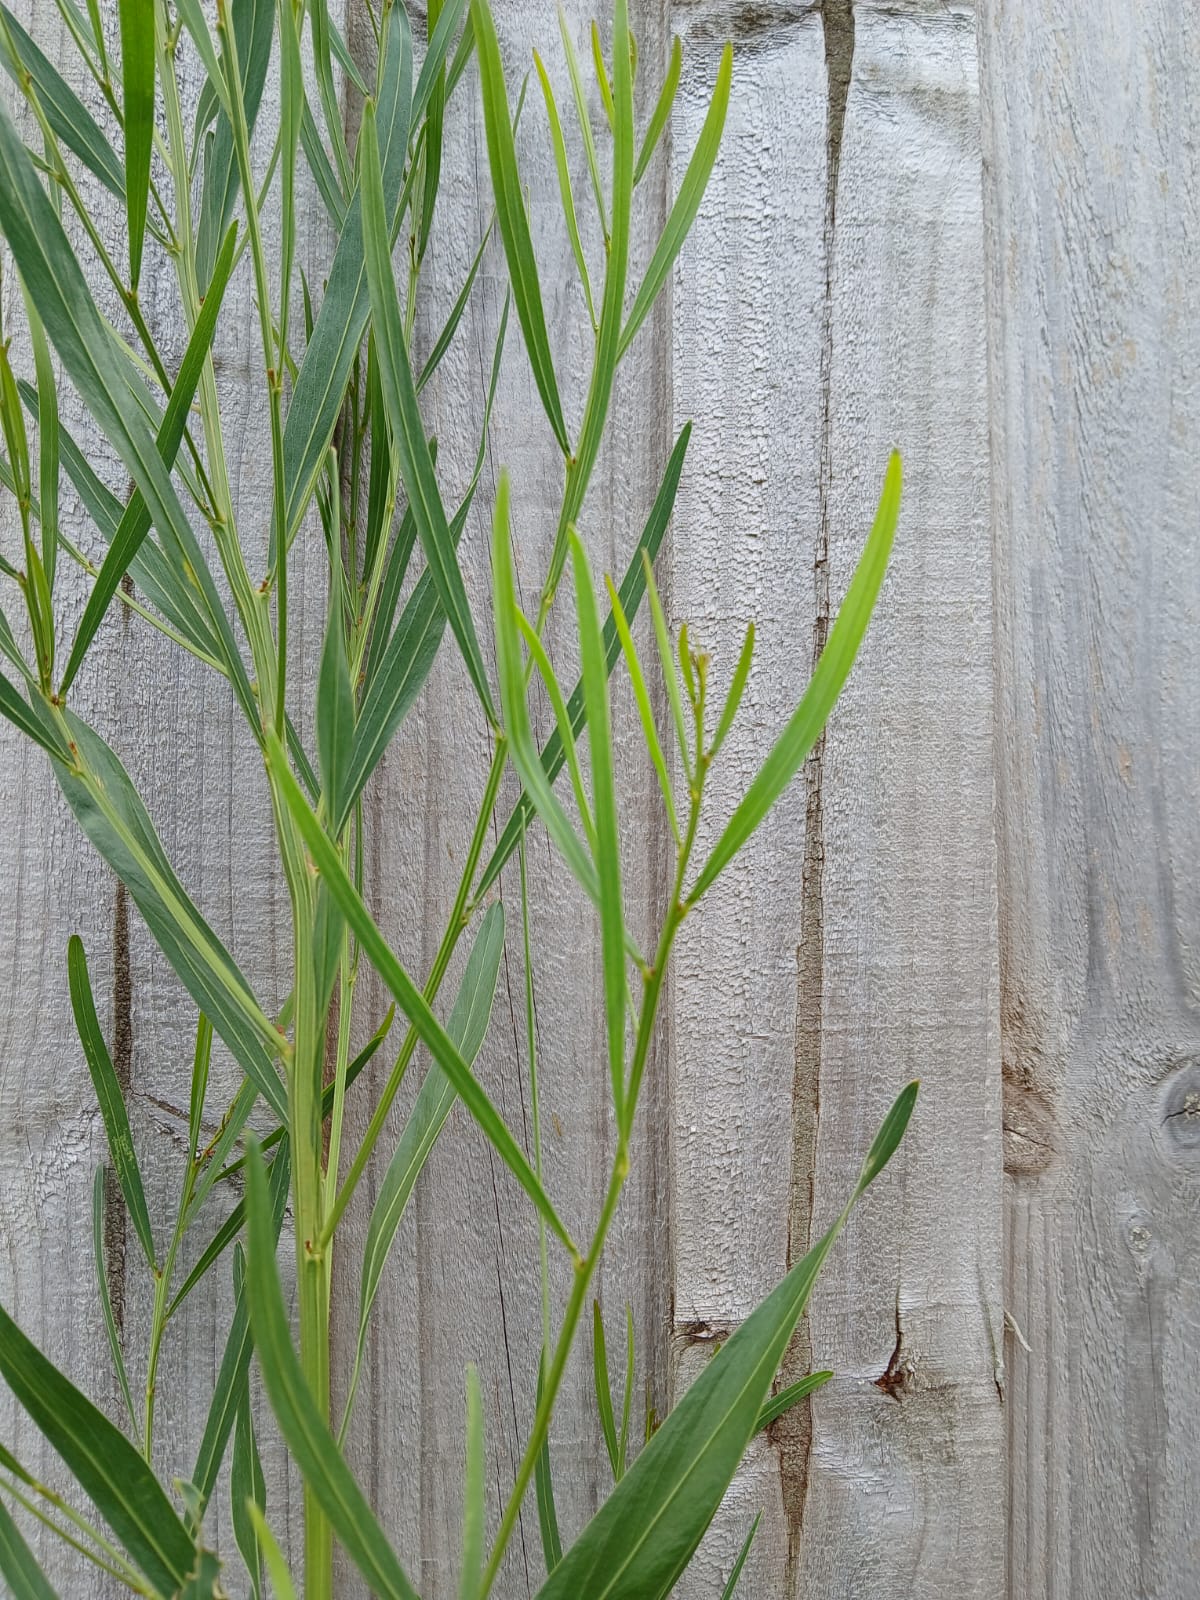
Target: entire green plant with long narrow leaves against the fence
[{"x": 346, "y": 434}]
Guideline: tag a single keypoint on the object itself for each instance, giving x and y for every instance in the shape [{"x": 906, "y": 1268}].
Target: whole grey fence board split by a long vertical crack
[{"x": 838, "y": 278}]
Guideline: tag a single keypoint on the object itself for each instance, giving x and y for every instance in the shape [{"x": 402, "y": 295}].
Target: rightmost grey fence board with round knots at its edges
[{"x": 1094, "y": 314}]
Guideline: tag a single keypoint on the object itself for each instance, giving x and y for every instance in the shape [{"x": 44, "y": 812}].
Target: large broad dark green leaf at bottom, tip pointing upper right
[{"x": 650, "y": 1526}]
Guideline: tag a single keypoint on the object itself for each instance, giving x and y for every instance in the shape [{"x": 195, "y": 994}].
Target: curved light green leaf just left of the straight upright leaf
[{"x": 516, "y": 710}]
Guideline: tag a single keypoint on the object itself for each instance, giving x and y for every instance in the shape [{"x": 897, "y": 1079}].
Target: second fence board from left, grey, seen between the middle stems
[{"x": 463, "y": 1284}]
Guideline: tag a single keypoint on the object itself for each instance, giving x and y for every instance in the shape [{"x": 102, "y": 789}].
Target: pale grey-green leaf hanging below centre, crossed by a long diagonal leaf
[{"x": 436, "y": 1100}]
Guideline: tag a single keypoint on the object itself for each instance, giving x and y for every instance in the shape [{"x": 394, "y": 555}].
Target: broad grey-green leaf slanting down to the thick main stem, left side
[{"x": 114, "y": 818}]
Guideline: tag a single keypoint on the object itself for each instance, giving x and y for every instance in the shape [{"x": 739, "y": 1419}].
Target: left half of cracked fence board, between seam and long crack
[{"x": 748, "y": 308}]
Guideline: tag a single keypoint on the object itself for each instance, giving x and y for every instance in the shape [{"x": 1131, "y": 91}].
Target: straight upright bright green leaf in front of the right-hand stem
[{"x": 607, "y": 828}]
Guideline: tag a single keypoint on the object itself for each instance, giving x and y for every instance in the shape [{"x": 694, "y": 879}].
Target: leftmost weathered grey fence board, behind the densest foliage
[{"x": 177, "y": 729}]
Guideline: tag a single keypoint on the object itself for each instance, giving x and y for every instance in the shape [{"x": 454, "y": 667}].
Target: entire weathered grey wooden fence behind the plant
[{"x": 972, "y": 231}]
